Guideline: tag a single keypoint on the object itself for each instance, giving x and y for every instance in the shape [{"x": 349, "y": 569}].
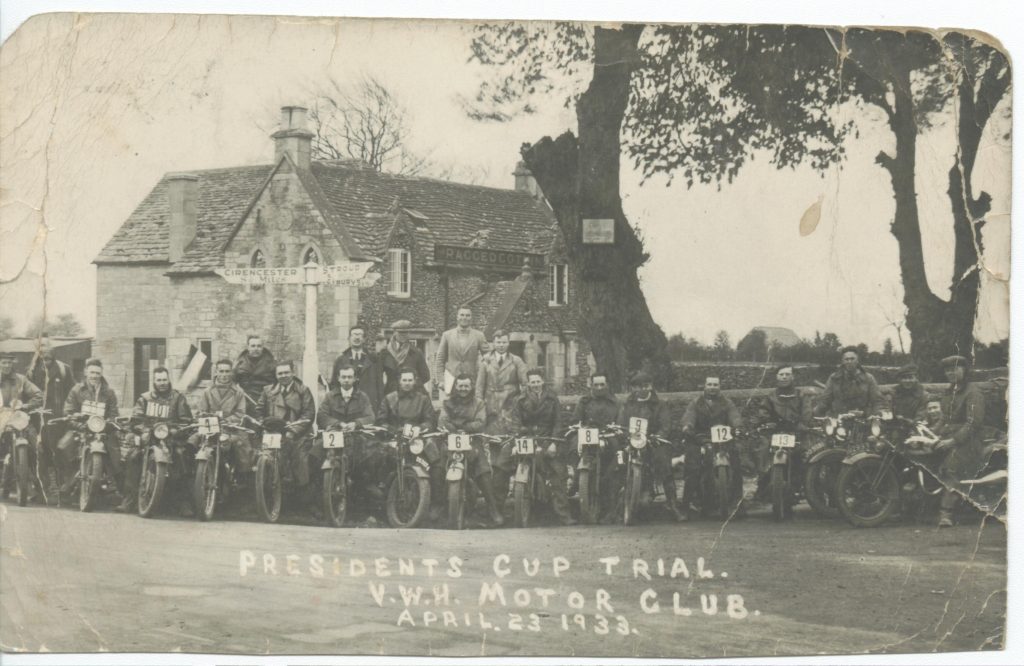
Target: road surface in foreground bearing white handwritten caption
[{"x": 86, "y": 582}]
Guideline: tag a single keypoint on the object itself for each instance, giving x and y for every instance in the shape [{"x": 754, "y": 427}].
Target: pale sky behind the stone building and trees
[{"x": 96, "y": 109}]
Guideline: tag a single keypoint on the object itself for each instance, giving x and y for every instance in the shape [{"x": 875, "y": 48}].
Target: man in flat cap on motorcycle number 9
[{"x": 644, "y": 402}]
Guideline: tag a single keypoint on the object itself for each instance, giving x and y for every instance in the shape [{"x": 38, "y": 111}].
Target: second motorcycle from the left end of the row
[{"x": 96, "y": 473}]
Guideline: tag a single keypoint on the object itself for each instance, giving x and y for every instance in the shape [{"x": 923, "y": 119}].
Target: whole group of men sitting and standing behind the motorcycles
[{"x": 485, "y": 389}]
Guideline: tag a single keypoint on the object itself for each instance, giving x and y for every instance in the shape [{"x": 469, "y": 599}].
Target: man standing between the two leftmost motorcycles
[{"x": 56, "y": 381}]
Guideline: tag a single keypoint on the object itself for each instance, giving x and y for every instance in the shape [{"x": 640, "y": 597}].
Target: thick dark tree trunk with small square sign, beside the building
[{"x": 581, "y": 181}]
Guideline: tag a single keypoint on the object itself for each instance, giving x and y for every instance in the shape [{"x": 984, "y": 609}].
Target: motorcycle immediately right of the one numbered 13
[{"x": 836, "y": 437}]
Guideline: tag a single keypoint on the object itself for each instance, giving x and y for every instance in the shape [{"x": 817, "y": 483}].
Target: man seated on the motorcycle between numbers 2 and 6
[{"x": 411, "y": 405}]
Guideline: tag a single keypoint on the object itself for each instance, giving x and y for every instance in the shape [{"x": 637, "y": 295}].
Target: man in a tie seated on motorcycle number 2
[{"x": 347, "y": 408}]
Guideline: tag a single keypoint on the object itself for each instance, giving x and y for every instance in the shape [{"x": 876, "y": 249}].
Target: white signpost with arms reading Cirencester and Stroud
[{"x": 354, "y": 274}]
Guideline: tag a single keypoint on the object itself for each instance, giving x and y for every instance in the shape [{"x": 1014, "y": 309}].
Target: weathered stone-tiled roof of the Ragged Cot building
[{"x": 359, "y": 204}]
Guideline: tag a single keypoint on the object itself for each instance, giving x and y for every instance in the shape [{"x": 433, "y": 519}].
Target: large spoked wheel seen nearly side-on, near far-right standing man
[{"x": 868, "y": 492}]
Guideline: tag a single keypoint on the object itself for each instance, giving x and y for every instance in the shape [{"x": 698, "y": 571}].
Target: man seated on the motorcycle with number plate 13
[{"x": 790, "y": 411}]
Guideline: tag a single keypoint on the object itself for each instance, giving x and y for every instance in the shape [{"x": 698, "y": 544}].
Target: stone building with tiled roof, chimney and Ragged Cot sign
[{"x": 438, "y": 245}]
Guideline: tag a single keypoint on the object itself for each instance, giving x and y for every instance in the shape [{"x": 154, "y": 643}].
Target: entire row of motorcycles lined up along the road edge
[{"x": 864, "y": 469}]
